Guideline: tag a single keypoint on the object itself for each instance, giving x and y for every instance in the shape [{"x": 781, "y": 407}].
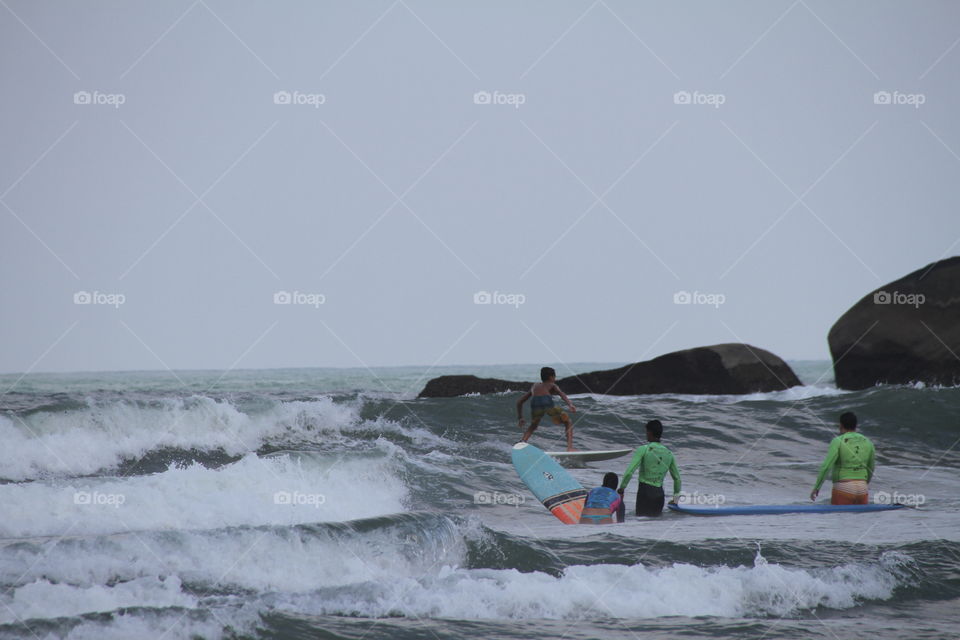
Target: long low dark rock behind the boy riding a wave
[{"x": 719, "y": 369}]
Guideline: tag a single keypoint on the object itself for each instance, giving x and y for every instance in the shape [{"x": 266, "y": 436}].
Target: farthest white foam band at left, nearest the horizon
[{"x": 86, "y": 441}]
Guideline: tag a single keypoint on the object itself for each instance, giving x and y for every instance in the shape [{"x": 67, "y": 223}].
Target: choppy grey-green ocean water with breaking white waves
[{"x": 324, "y": 503}]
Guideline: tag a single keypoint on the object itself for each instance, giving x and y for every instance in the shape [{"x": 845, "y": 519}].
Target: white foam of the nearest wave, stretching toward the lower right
[{"x": 602, "y": 591}]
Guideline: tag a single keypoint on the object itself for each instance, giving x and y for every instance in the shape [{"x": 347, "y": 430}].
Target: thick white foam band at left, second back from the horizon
[{"x": 276, "y": 490}]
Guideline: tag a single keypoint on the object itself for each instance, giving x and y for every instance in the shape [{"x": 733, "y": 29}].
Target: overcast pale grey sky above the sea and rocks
[{"x": 589, "y": 186}]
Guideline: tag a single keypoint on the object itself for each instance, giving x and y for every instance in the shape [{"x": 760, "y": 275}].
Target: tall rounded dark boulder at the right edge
[{"x": 906, "y": 331}]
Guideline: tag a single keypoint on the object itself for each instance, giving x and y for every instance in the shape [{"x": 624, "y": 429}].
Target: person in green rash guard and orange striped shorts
[{"x": 851, "y": 457}]
